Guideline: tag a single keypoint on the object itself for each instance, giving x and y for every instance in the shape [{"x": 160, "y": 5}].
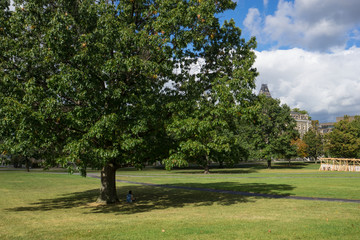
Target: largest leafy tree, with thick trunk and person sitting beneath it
[{"x": 84, "y": 81}]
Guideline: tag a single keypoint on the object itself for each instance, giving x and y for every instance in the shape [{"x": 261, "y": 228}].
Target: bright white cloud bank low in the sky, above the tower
[{"x": 327, "y": 85}]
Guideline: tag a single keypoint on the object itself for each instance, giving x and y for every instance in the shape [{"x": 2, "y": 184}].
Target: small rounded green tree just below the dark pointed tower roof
[{"x": 274, "y": 129}]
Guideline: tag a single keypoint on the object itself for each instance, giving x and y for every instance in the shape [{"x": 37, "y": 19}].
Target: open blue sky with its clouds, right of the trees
[{"x": 308, "y": 52}]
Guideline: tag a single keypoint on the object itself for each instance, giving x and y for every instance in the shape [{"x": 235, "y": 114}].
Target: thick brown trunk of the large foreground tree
[{"x": 108, "y": 185}]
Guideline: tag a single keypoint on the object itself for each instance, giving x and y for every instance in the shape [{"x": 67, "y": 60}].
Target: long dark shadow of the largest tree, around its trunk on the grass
[{"x": 149, "y": 198}]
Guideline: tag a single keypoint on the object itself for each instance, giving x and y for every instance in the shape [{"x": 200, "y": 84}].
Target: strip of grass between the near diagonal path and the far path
[{"x": 346, "y": 188}]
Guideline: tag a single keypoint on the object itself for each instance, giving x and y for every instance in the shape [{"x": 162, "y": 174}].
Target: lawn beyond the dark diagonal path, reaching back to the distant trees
[{"x": 305, "y": 181}]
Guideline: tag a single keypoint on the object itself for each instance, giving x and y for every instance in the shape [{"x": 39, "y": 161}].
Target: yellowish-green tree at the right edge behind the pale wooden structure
[{"x": 344, "y": 140}]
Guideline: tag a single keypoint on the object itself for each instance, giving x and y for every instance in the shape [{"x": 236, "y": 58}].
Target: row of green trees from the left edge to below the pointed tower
[{"x": 107, "y": 84}]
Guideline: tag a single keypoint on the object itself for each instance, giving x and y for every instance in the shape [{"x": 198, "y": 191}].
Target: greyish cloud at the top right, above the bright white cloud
[{"x": 309, "y": 24}]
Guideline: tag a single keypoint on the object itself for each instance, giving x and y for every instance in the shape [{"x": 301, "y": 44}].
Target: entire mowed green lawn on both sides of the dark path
[{"x": 49, "y": 205}]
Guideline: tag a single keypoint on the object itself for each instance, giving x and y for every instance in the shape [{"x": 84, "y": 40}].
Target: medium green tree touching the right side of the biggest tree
[{"x": 212, "y": 101}]
